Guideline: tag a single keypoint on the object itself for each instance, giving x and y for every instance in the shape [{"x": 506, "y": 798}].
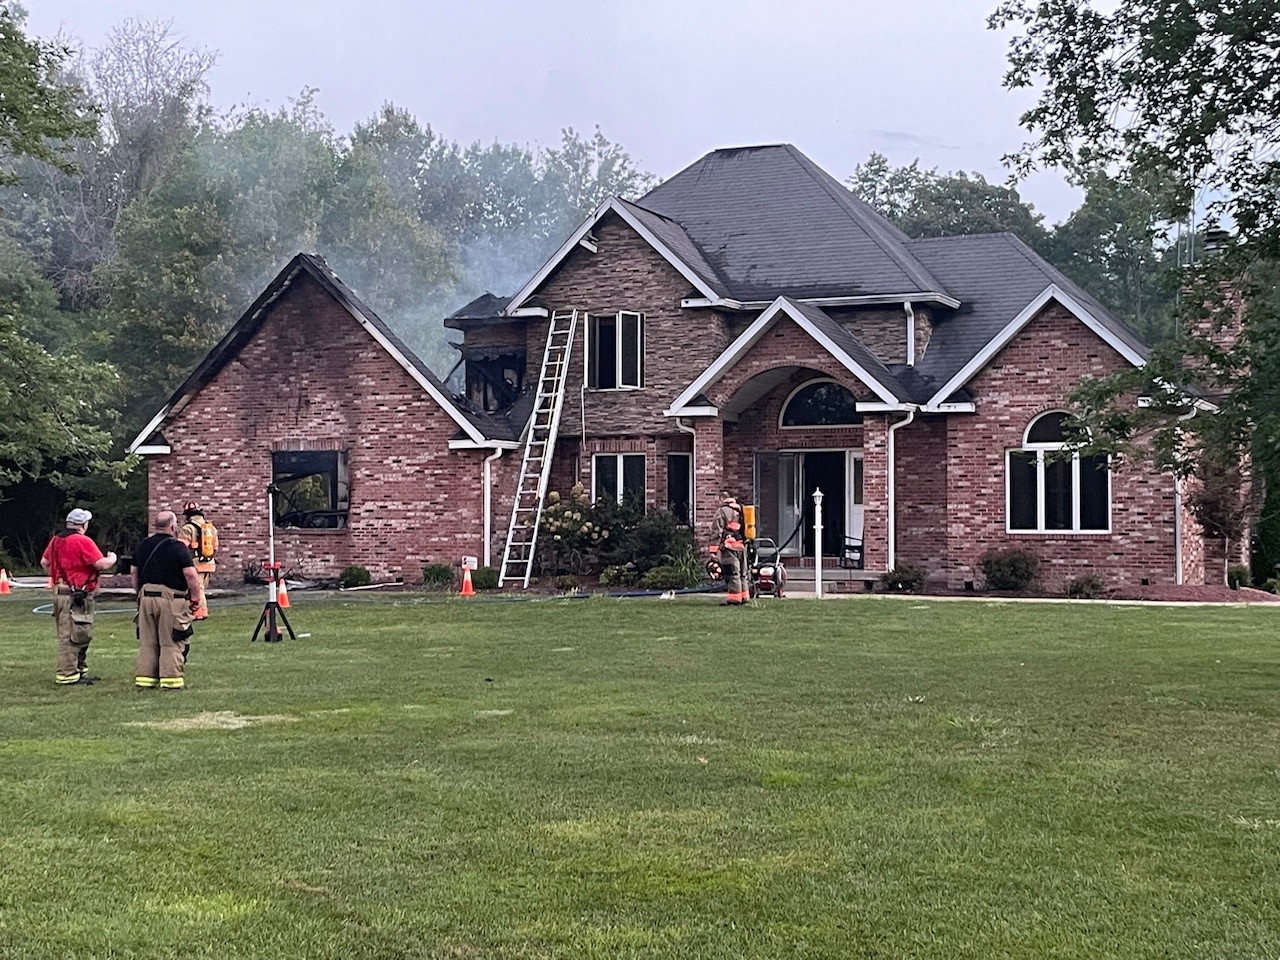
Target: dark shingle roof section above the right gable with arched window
[{"x": 995, "y": 277}]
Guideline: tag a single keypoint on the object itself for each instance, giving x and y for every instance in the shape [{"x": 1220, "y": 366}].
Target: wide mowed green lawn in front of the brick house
[{"x": 616, "y": 779}]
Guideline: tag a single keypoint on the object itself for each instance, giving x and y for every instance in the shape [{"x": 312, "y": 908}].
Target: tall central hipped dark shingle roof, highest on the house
[{"x": 769, "y": 222}]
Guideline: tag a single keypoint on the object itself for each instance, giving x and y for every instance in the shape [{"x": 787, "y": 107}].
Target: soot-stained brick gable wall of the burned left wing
[{"x": 314, "y": 380}]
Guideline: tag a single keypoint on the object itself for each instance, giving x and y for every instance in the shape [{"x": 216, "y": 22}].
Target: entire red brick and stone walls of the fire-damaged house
[{"x": 313, "y": 378}]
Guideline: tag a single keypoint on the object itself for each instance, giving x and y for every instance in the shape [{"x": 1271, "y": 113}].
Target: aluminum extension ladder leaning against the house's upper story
[{"x": 518, "y": 559}]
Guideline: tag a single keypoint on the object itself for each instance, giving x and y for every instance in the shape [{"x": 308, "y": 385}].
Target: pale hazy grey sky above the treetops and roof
[{"x": 669, "y": 80}]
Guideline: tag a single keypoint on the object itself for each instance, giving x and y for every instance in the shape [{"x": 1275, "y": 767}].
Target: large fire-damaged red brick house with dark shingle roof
[{"x": 749, "y": 326}]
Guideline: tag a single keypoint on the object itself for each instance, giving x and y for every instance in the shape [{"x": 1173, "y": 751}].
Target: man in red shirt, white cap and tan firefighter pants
[{"x": 74, "y": 563}]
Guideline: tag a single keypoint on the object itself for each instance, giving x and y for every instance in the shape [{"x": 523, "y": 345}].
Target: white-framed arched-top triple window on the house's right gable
[{"x": 1052, "y": 490}]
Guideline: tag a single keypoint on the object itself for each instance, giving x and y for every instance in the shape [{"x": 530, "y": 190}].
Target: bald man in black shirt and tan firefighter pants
[{"x": 170, "y": 593}]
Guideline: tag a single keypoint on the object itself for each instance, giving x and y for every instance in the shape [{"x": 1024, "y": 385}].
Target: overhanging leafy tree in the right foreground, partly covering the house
[{"x": 1185, "y": 94}]
